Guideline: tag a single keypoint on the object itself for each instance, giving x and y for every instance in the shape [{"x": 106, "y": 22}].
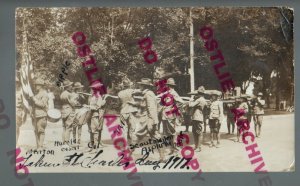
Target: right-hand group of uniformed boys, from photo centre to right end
[{"x": 144, "y": 113}]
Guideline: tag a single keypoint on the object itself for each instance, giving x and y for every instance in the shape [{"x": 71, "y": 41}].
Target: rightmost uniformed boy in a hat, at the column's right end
[{"x": 258, "y": 113}]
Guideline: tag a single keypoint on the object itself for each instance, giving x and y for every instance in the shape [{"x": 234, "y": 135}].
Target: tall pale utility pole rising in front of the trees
[{"x": 191, "y": 69}]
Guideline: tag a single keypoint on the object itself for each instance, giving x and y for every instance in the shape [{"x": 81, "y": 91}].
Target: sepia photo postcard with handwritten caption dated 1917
[{"x": 194, "y": 89}]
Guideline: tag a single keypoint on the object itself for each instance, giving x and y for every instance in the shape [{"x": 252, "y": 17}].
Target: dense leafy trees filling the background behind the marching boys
[{"x": 257, "y": 44}]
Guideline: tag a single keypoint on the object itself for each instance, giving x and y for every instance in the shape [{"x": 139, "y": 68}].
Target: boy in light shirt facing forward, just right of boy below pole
[{"x": 216, "y": 113}]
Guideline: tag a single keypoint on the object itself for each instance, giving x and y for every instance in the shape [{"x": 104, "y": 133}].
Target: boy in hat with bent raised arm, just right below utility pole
[{"x": 198, "y": 105}]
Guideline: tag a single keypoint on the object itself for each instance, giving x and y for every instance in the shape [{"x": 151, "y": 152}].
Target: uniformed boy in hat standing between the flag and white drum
[{"x": 40, "y": 101}]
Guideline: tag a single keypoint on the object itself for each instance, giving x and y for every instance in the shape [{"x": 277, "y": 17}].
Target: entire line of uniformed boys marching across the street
[{"x": 143, "y": 113}]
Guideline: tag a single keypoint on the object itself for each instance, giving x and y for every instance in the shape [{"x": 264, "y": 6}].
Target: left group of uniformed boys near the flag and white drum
[{"x": 77, "y": 109}]
